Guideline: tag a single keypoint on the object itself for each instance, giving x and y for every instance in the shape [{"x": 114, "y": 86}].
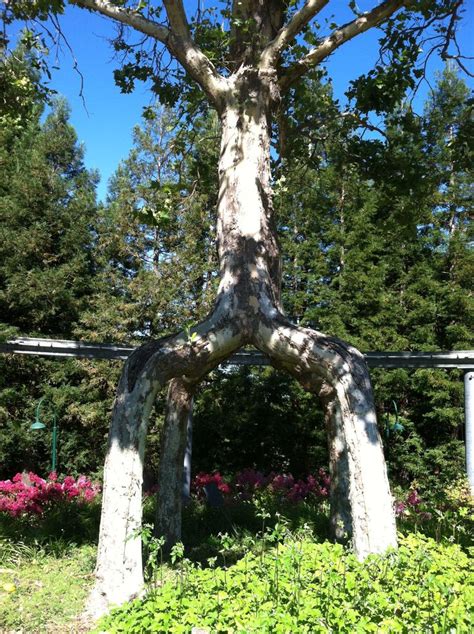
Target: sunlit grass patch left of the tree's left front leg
[{"x": 43, "y": 588}]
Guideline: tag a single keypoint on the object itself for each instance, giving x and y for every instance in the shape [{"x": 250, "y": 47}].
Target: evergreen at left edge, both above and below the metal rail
[{"x": 47, "y": 211}]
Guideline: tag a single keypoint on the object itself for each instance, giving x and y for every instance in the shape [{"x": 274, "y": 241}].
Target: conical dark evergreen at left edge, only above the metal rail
[{"x": 47, "y": 209}]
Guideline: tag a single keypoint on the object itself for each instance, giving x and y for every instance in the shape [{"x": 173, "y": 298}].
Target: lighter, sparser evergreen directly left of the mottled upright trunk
[{"x": 155, "y": 252}]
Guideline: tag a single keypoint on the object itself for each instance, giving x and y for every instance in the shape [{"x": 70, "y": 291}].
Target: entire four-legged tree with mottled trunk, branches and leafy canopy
[{"x": 243, "y": 71}]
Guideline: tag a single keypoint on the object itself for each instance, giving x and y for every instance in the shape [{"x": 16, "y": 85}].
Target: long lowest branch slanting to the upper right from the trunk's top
[{"x": 372, "y": 18}]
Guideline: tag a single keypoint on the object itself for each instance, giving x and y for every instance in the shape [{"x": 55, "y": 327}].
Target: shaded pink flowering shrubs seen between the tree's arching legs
[{"x": 249, "y": 483}]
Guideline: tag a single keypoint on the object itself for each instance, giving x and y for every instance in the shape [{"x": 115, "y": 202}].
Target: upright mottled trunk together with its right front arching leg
[{"x": 250, "y": 282}]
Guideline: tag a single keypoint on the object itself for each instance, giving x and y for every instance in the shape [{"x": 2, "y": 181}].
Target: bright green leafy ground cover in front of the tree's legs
[{"x": 302, "y": 586}]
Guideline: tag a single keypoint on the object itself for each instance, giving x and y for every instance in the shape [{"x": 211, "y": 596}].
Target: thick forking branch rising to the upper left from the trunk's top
[{"x": 177, "y": 40}]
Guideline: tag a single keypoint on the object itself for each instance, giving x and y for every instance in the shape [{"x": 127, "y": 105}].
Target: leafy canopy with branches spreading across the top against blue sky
[{"x": 171, "y": 42}]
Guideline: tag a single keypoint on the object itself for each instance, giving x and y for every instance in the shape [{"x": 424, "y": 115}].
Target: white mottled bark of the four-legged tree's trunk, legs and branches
[{"x": 248, "y": 308}]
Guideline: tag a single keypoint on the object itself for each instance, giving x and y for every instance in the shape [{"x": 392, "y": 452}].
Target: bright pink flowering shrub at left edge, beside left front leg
[{"x": 29, "y": 494}]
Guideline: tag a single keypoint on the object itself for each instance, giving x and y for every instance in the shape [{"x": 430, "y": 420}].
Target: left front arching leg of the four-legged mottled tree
[{"x": 119, "y": 571}]
